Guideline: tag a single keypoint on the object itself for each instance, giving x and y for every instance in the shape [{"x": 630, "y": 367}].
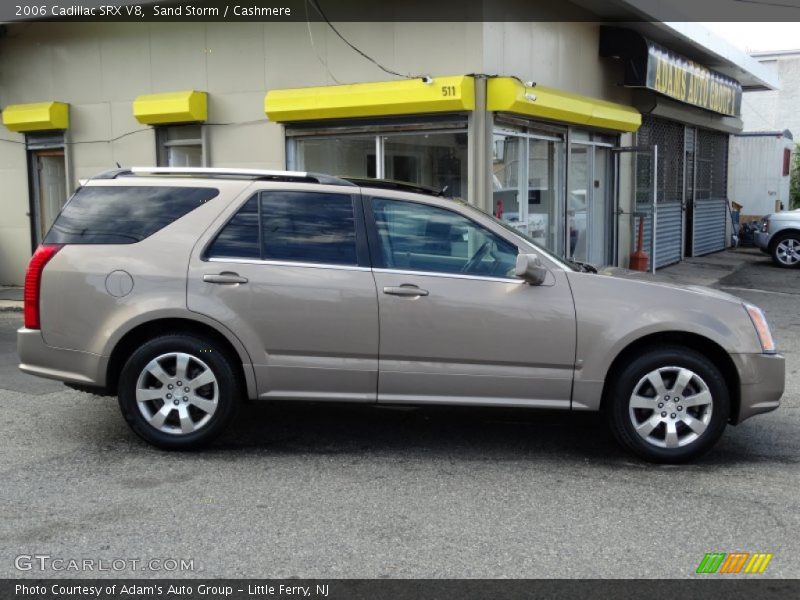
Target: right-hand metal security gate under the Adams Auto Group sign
[{"x": 709, "y": 206}]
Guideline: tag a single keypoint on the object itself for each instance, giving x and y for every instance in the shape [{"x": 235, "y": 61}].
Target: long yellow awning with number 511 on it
[{"x": 402, "y": 97}]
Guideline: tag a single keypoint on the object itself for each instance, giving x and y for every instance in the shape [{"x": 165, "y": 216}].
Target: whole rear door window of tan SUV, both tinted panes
[{"x": 314, "y": 227}]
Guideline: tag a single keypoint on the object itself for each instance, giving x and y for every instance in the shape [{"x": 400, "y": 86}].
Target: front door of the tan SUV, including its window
[{"x": 456, "y": 326}]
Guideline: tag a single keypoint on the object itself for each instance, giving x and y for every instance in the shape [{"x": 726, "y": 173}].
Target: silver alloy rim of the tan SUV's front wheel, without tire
[{"x": 670, "y": 407}]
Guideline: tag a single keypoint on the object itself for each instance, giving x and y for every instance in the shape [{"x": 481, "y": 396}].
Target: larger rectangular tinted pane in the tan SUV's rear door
[{"x": 308, "y": 227}]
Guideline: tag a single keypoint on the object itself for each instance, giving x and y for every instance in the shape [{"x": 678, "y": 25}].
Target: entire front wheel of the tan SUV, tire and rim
[{"x": 669, "y": 405}]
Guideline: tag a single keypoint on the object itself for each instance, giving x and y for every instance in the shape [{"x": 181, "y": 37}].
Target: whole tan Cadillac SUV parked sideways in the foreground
[{"x": 184, "y": 291}]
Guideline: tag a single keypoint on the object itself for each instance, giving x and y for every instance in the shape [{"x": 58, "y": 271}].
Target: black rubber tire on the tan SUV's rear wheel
[{"x": 224, "y": 393}]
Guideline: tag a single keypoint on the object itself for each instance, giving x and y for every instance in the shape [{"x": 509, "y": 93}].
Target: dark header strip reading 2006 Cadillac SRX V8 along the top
[{"x": 400, "y": 10}]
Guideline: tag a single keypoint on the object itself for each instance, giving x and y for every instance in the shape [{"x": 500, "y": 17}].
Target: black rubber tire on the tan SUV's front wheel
[{"x": 631, "y": 378}]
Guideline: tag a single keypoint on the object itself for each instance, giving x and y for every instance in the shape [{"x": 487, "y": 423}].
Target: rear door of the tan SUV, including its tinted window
[{"x": 288, "y": 272}]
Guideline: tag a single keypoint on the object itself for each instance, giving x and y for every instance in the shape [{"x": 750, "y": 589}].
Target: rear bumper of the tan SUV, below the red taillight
[{"x": 37, "y": 358}]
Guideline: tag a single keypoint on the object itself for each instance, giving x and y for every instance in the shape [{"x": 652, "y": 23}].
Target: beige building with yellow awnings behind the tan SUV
[{"x": 546, "y": 125}]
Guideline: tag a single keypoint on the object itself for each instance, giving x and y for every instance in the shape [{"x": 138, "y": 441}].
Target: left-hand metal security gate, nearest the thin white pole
[{"x": 668, "y": 173}]
